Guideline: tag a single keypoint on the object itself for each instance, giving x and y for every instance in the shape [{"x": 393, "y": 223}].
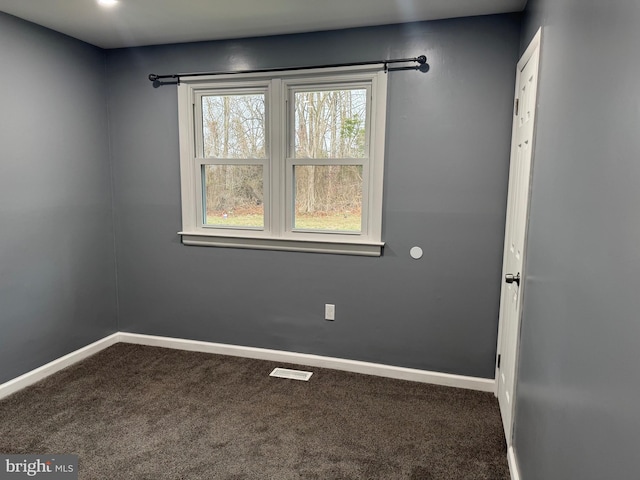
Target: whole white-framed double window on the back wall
[{"x": 288, "y": 161}]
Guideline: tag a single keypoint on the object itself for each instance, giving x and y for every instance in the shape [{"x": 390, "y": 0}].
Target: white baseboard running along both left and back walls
[{"x": 355, "y": 366}]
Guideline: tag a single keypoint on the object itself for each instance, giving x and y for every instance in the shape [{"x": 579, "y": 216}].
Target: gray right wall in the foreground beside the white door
[{"x": 577, "y": 414}]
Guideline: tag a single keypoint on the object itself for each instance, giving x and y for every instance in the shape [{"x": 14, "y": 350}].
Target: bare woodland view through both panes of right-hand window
[{"x": 329, "y": 125}]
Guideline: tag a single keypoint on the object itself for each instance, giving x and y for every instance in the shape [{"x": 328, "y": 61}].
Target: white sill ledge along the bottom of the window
[{"x": 369, "y": 249}]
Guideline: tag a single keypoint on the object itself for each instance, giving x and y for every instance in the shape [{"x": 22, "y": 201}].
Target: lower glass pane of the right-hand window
[{"x": 328, "y": 197}]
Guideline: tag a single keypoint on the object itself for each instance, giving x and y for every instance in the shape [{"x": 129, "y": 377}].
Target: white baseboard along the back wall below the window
[{"x": 355, "y": 366}]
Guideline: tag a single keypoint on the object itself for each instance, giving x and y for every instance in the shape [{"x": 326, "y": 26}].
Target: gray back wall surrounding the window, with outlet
[{"x": 445, "y": 190}]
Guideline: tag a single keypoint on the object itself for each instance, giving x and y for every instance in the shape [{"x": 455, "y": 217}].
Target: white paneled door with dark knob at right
[{"x": 516, "y": 230}]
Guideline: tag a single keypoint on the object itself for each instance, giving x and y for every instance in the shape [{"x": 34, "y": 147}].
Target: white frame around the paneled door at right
[{"x": 533, "y": 48}]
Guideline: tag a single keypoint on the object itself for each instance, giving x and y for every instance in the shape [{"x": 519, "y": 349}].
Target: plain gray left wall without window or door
[{"x": 57, "y": 266}]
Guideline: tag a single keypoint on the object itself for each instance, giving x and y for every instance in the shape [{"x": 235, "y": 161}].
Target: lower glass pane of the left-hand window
[{"x": 233, "y": 195}]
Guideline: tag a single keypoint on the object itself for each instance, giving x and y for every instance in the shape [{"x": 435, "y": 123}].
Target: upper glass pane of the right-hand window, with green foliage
[{"x": 330, "y": 124}]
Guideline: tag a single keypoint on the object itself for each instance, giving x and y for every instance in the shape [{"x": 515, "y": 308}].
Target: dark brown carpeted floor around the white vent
[{"x": 134, "y": 412}]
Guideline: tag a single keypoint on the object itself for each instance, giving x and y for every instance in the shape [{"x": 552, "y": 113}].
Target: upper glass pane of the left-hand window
[{"x": 233, "y": 126}]
